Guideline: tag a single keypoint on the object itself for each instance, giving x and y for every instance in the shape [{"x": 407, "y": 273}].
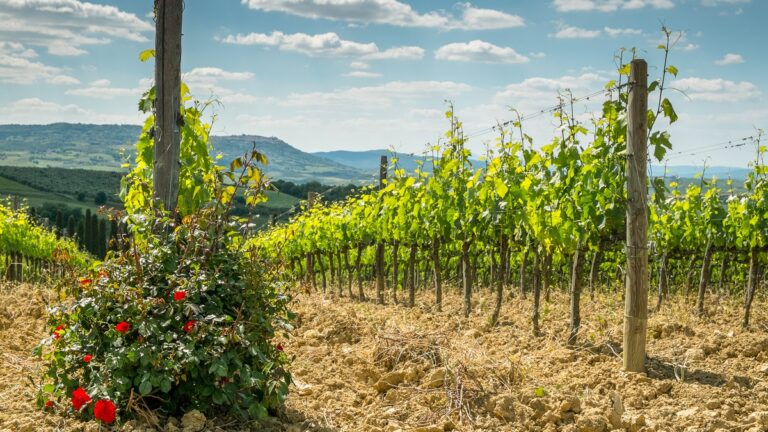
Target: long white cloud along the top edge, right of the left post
[{"x": 391, "y": 12}]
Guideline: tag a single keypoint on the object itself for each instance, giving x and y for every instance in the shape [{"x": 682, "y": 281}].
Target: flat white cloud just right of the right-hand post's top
[{"x": 717, "y": 90}]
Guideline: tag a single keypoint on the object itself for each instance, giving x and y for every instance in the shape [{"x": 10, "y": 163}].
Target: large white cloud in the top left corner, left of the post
[{"x": 64, "y": 27}]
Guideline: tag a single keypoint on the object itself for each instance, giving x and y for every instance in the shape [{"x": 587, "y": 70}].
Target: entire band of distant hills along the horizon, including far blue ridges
[{"x": 98, "y": 147}]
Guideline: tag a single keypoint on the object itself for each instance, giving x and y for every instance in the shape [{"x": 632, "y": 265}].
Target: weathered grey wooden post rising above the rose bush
[{"x": 165, "y": 173}]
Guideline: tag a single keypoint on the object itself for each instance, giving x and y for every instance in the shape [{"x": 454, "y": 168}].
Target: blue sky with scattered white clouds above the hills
[{"x": 369, "y": 74}]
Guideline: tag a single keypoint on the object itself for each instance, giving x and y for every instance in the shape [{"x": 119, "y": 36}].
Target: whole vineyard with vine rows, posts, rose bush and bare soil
[{"x": 508, "y": 294}]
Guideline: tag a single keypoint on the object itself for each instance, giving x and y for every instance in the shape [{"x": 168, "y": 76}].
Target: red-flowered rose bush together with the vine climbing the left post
[{"x": 178, "y": 318}]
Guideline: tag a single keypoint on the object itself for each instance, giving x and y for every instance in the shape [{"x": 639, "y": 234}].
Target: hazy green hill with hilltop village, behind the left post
[{"x": 99, "y": 147}]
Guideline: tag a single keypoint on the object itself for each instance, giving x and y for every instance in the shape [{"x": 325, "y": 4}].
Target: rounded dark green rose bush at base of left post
[{"x": 187, "y": 323}]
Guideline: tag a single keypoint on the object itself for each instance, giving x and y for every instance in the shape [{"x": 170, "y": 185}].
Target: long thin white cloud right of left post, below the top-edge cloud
[{"x": 323, "y": 45}]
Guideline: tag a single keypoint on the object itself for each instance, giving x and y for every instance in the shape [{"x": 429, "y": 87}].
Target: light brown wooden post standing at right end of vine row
[{"x": 636, "y": 300}]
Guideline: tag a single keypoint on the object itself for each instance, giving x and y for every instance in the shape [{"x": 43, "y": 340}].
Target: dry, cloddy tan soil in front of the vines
[{"x": 364, "y": 367}]
